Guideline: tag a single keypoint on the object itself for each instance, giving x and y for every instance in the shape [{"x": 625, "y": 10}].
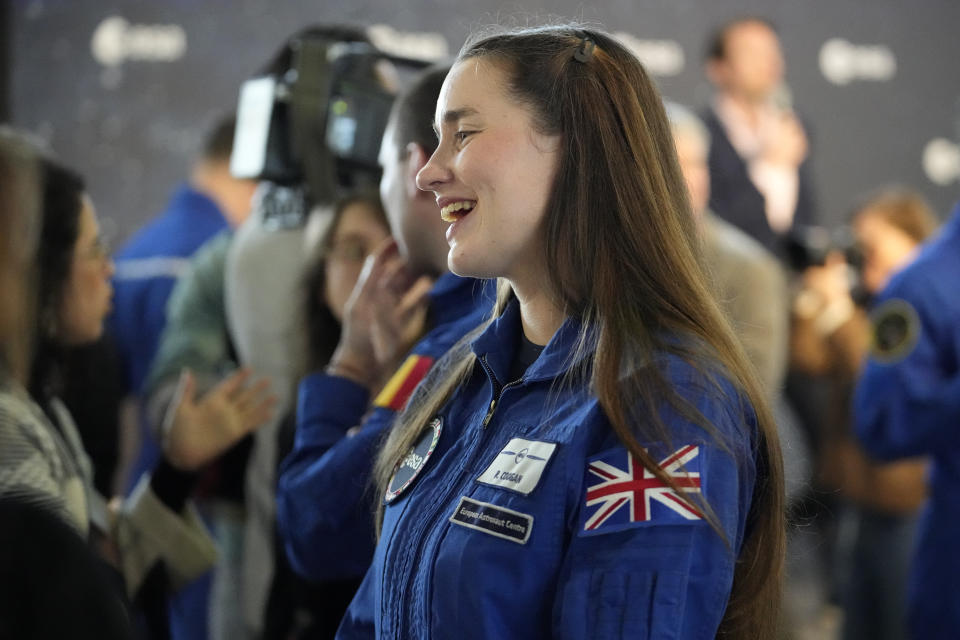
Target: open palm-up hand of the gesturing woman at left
[{"x": 195, "y": 431}]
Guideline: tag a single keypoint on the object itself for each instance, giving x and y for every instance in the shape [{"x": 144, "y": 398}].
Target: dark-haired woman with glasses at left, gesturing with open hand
[{"x": 153, "y": 537}]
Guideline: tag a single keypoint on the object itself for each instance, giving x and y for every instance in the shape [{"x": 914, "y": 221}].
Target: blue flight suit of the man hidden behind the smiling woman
[{"x": 324, "y": 507}]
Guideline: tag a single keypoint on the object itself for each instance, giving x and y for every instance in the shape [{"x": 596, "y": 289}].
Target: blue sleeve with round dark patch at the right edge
[{"x": 907, "y": 401}]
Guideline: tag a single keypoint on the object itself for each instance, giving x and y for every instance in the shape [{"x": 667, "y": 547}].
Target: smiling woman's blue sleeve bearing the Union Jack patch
[{"x": 642, "y": 563}]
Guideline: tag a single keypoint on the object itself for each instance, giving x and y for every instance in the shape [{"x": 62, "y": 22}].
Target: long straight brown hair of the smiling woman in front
[{"x": 624, "y": 259}]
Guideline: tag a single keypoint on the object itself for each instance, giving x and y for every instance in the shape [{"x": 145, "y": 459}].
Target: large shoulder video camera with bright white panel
[{"x": 317, "y": 123}]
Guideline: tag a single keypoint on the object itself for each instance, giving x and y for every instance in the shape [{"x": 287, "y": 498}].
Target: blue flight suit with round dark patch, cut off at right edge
[{"x": 907, "y": 403}]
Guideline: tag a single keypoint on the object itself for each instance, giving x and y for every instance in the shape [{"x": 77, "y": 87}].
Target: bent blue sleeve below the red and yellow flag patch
[{"x": 323, "y": 515}]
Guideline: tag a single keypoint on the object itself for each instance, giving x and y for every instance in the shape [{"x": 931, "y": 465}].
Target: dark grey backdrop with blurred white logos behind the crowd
[{"x": 124, "y": 89}]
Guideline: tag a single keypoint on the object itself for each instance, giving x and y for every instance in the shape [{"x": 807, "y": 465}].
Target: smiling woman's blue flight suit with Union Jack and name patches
[{"x": 577, "y": 541}]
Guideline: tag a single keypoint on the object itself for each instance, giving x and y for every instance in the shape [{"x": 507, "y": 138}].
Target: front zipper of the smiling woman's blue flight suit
[{"x": 462, "y": 480}]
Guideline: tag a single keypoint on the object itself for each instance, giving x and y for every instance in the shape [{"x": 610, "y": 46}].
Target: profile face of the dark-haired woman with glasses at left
[{"x": 87, "y": 292}]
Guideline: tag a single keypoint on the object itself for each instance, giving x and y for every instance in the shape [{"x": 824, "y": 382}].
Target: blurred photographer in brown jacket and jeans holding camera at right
[{"x": 830, "y": 338}]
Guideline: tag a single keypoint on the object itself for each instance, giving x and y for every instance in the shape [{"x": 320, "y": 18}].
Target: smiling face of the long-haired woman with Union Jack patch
[{"x": 492, "y": 174}]
